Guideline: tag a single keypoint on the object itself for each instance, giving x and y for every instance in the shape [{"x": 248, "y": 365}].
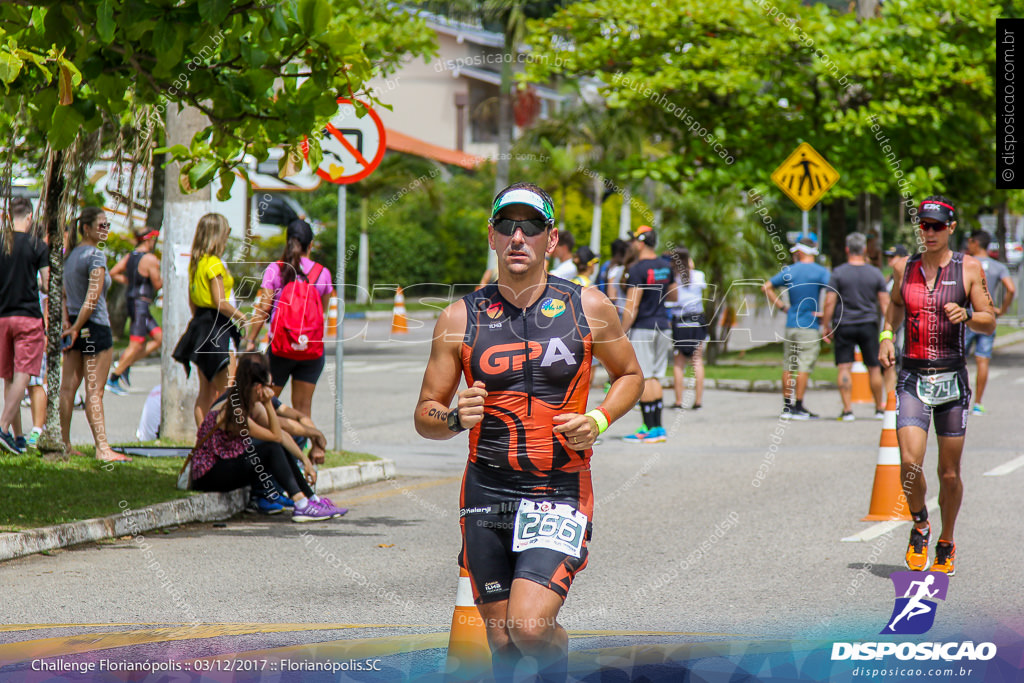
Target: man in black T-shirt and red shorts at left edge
[{"x": 23, "y": 339}]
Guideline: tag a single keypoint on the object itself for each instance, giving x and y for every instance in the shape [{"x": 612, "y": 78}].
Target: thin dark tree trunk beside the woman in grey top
[{"x": 51, "y": 442}]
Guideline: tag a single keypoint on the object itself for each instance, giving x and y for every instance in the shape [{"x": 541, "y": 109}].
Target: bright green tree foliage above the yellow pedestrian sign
[{"x": 757, "y": 82}]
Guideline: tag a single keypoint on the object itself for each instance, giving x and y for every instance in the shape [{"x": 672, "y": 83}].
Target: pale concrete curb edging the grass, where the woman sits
[{"x": 199, "y": 508}]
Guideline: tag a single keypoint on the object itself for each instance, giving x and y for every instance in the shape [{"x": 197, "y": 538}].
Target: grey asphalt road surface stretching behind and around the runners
[{"x": 686, "y": 541}]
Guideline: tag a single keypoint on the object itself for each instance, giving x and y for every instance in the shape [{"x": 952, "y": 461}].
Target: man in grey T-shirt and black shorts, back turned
[{"x": 857, "y": 292}]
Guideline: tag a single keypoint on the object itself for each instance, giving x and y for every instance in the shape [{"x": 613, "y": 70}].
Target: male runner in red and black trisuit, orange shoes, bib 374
[{"x": 933, "y": 290}]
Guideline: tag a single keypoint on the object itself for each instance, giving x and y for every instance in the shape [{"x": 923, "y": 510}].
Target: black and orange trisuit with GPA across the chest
[{"x": 535, "y": 364}]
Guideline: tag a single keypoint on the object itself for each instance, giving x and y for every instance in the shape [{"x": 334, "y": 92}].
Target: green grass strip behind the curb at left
[{"x": 35, "y": 493}]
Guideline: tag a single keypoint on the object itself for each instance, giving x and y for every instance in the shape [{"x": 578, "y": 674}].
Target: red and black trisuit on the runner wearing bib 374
[{"x": 933, "y": 348}]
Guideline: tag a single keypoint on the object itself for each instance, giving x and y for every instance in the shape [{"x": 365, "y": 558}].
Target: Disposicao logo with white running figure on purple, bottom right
[{"x": 914, "y": 614}]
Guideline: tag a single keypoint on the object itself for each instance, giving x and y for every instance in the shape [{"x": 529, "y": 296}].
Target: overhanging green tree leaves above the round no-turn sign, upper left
[{"x": 265, "y": 74}]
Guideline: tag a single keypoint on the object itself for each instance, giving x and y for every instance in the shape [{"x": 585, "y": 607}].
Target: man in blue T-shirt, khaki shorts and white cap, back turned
[{"x": 804, "y": 280}]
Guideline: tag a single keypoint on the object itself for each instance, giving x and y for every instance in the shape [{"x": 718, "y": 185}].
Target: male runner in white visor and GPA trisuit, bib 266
[{"x": 526, "y": 345}]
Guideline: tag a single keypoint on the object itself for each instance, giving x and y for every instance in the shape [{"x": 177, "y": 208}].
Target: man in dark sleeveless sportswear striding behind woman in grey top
[{"x": 140, "y": 273}]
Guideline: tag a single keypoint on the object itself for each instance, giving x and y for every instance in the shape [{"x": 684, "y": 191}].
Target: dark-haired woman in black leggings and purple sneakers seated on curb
[{"x": 241, "y": 443}]
